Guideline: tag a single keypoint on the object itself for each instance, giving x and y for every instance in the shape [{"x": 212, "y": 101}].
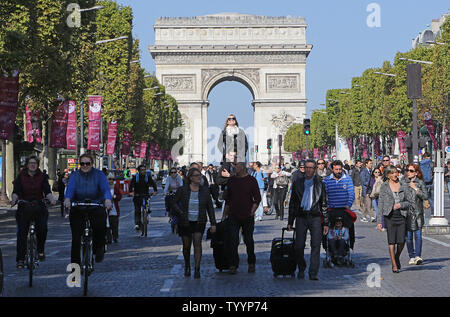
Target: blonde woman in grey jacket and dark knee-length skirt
[{"x": 394, "y": 203}]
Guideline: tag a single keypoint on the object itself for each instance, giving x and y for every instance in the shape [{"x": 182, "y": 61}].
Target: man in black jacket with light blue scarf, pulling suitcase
[{"x": 307, "y": 206}]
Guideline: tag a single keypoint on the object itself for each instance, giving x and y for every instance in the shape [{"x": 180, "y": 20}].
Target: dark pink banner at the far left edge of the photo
[{"x": 9, "y": 94}]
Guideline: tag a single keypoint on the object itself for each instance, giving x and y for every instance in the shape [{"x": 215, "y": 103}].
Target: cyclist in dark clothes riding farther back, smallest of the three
[{"x": 139, "y": 186}]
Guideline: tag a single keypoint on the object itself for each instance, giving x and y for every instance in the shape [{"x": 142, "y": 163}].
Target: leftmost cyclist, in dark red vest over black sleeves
[{"x": 31, "y": 185}]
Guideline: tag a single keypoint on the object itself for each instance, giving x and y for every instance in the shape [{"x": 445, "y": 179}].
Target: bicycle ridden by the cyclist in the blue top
[{"x": 87, "y": 252}]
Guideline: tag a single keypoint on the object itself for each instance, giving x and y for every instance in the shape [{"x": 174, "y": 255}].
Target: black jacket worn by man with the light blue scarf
[{"x": 319, "y": 206}]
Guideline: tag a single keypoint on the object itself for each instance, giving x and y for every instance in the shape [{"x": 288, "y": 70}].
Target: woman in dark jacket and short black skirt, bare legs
[{"x": 192, "y": 203}]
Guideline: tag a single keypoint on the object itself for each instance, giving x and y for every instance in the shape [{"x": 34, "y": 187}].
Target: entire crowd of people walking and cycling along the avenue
[{"x": 322, "y": 198}]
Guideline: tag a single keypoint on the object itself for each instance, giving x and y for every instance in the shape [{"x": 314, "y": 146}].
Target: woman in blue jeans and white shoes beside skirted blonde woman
[{"x": 415, "y": 219}]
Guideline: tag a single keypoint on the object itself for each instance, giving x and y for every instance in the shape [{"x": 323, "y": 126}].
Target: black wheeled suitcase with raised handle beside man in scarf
[{"x": 282, "y": 255}]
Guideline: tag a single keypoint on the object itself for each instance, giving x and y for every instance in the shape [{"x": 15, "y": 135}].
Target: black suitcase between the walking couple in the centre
[{"x": 220, "y": 243}]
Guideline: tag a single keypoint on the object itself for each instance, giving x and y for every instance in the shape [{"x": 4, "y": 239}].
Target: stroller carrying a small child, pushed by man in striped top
[{"x": 333, "y": 257}]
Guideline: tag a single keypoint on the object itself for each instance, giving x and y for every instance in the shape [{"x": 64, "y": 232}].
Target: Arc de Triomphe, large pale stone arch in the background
[{"x": 266, "y": 54}]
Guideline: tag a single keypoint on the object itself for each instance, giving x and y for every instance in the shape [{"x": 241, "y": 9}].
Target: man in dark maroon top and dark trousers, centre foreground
[{"x": 243, "y": 198}]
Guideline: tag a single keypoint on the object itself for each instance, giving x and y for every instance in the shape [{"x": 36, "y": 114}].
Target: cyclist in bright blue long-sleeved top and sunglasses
[{"x": 88, "y": 183}]
